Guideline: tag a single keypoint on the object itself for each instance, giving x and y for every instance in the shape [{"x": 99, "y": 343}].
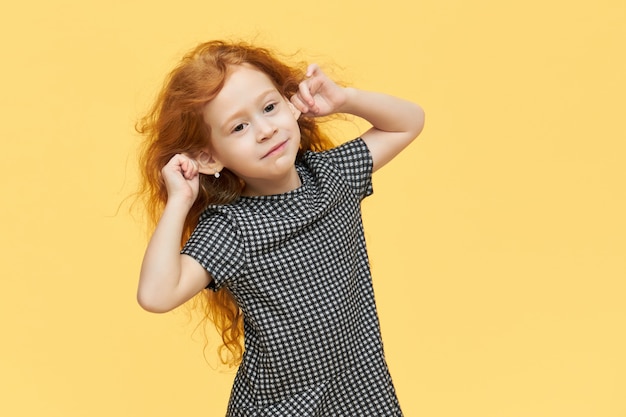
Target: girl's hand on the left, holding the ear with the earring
[{"x": 182, "y": 179}]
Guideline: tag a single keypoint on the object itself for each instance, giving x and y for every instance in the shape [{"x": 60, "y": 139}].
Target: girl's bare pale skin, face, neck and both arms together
[{"x": 169, "y": 279}]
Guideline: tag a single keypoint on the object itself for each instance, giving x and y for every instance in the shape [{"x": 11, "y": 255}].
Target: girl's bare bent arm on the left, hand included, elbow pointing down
[{"x": 167, "y": 278}]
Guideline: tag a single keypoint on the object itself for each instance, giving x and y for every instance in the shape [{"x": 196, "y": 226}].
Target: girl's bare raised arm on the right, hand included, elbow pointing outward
[{"x": 395, "y": 122}]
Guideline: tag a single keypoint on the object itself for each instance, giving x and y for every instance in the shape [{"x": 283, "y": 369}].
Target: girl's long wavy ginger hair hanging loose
[{"x": 174, "y": 124}]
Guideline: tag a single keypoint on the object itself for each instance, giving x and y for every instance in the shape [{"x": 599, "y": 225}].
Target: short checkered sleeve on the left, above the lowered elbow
[{"x": 217, "y": 245}]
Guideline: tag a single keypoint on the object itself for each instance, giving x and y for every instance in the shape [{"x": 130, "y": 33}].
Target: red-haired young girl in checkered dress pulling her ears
[{"x": 268, "y": 213}]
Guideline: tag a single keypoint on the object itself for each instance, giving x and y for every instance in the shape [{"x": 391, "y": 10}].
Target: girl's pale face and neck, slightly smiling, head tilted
[{"x": 254, "y": 132}]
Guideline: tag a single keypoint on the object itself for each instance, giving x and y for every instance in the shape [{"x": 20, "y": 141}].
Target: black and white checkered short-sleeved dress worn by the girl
[{"x": 298, "y": 266}]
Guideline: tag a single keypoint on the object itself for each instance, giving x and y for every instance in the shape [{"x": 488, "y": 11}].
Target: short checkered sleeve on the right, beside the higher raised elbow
[{"x": 354, "y": 161}]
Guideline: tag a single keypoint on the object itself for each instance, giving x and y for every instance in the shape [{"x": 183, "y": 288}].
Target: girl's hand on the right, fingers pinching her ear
[{"x": 318, "y": 95}]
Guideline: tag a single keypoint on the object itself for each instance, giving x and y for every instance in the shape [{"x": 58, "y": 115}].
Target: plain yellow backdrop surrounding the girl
[{"x": 497, "y": 240}]
